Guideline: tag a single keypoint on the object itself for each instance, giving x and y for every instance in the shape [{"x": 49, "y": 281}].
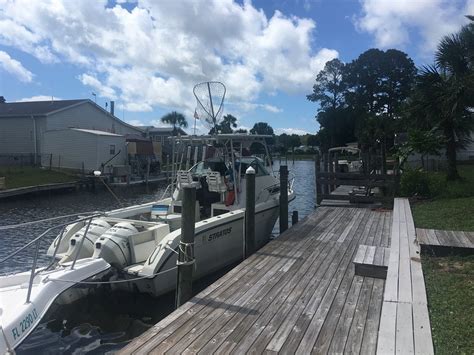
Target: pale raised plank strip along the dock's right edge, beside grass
[{"x": 404, "y": 324}]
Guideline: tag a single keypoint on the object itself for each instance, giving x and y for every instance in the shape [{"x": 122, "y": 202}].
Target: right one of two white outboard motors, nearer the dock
[{"x": 113, "y": 246}]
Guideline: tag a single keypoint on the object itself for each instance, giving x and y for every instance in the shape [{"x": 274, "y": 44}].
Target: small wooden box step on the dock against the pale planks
[{"x": 371, "y": 261}]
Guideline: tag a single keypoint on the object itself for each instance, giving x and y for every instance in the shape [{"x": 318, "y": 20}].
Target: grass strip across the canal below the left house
[{"x": 30, "y": 176}]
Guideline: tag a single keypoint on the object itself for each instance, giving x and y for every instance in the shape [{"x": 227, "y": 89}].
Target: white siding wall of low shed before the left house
[{"x": 76, "y": 147}]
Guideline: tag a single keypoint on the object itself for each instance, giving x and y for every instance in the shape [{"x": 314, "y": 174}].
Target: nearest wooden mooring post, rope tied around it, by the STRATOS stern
[{"x": 185, "y": 263}]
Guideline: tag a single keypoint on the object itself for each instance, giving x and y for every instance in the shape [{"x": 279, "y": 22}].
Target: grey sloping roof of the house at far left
[{"x": 36, "y": 108}]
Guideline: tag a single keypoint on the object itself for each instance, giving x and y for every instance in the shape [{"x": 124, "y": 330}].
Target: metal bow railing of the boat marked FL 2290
[{"x": 37, "y": 242}]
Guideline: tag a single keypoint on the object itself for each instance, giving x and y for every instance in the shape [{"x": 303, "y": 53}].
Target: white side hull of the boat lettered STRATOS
[{"x": 219, "y": 242}]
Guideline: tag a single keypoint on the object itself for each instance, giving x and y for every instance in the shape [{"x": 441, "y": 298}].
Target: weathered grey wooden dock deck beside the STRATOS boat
[{"x": 298, "y": 294}]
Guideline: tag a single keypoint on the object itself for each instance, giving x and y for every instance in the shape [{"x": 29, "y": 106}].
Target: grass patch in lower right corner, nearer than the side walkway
[{"x": 450, "y": 285}]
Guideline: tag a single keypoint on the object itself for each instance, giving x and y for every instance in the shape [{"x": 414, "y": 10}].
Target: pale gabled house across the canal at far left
[{"x": 25, "y": 127}]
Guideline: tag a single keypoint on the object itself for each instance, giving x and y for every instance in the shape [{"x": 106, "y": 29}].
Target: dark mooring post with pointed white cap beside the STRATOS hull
[{"x": 249, "y": 212}]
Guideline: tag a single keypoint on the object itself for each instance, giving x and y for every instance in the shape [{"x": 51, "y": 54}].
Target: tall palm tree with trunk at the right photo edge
[{"x": 444, "y": 93}]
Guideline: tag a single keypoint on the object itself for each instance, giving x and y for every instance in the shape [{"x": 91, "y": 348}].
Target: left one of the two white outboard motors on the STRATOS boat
[{"x": 96, "y": 229}]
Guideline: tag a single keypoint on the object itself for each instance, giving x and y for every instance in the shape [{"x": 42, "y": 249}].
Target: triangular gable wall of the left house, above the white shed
[{"x": 87, "y": 116}]
